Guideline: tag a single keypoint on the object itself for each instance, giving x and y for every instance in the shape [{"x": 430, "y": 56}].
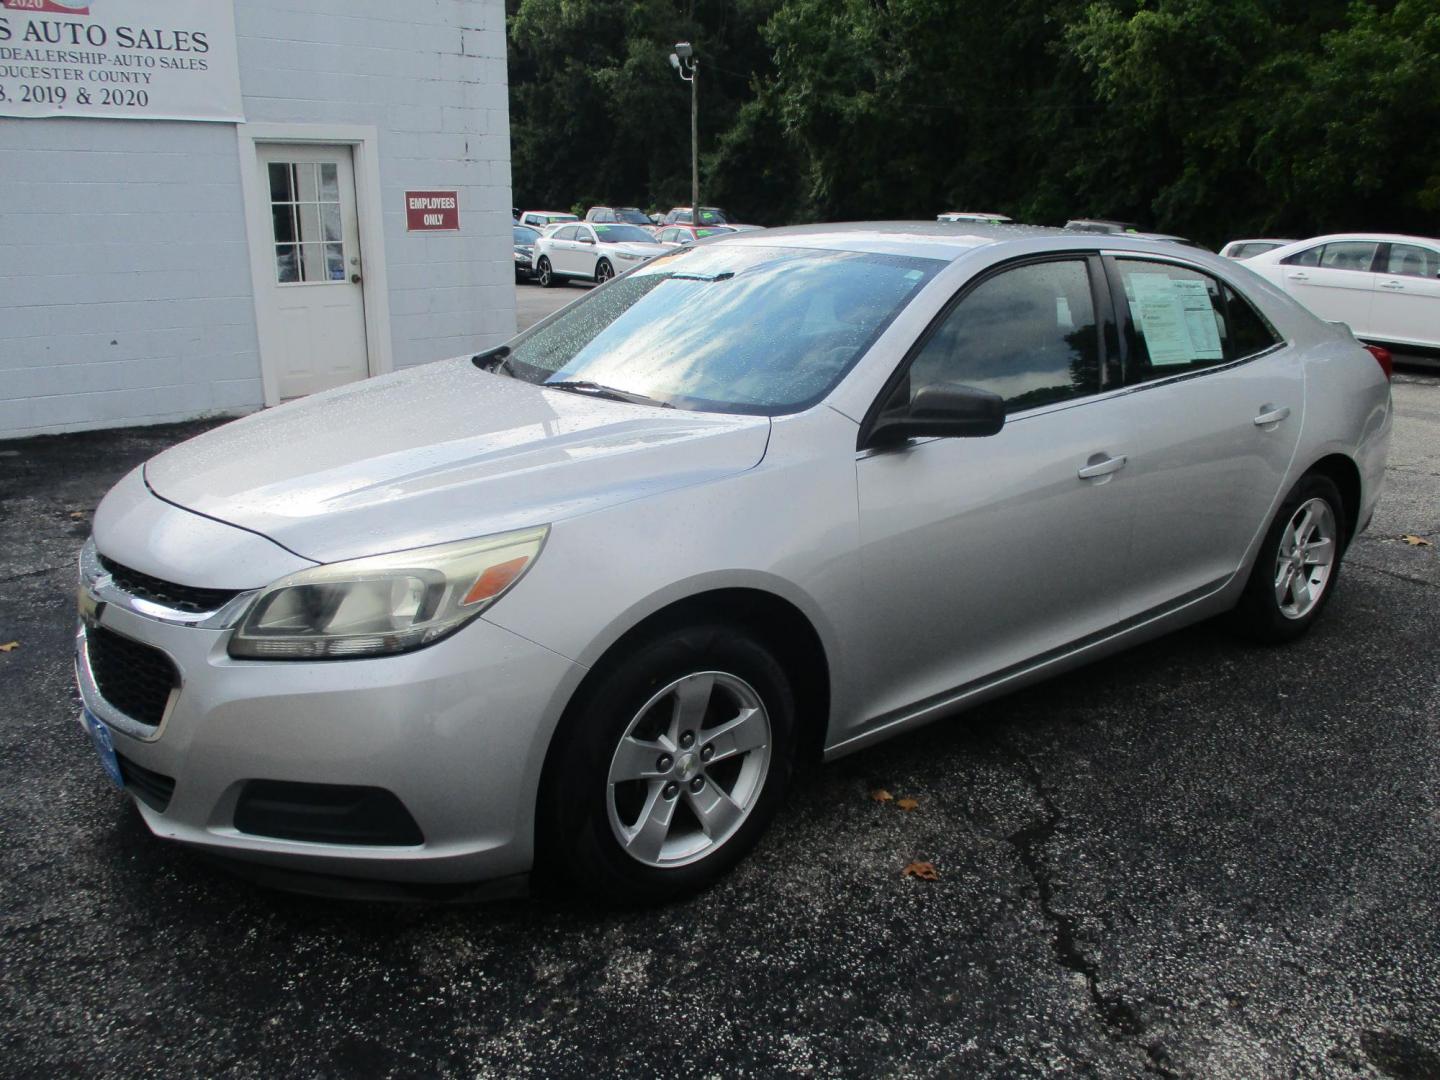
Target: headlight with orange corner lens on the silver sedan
[{"x": 385, "y": 604}]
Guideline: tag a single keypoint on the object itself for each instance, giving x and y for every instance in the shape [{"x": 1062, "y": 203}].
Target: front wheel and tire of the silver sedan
[{"x": 669, "y": 768}]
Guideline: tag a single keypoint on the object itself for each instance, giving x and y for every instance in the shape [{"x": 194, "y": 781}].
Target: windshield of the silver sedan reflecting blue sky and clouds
[{"x": 726, "y": 328}]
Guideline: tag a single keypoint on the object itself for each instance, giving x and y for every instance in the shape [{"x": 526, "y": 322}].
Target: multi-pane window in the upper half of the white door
[{"x": 307, "y": 222}]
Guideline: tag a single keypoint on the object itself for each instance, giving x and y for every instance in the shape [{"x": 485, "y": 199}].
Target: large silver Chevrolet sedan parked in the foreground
[{"x": 580, "y": 606}]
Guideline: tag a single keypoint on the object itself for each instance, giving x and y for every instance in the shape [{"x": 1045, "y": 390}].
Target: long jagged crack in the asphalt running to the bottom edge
[{"x": 1120, "y": 1017}]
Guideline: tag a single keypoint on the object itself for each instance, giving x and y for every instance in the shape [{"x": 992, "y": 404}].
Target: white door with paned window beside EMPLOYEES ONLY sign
[{"x": 315, "y": 287}]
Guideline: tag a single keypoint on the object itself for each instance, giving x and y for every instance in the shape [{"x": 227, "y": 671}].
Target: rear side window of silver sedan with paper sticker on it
[{"x": 1179, "y": 322}]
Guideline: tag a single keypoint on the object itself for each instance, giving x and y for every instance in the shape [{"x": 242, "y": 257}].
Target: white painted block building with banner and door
[{"x": 296, "y": 230}]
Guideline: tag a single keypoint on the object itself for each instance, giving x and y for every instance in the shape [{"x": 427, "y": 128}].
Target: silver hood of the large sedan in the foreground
[{"x": 441, "y": 453}]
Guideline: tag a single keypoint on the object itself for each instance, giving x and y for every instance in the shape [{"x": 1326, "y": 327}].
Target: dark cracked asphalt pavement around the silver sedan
[{"x": 1199, "y": 859}]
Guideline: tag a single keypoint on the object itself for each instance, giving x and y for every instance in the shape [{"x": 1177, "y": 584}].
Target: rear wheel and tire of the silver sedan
[{"x": 1298, "y": 567}]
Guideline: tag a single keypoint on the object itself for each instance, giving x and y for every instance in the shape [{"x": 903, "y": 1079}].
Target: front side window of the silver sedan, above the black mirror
[{"x": 1027, "y": 335}]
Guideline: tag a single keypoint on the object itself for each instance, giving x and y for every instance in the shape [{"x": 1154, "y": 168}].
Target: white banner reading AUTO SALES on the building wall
[{"x": 138, "y": 60}]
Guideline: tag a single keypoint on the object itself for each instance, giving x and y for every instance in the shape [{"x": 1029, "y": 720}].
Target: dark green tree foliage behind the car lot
[{"x": 1213, "y": 119}]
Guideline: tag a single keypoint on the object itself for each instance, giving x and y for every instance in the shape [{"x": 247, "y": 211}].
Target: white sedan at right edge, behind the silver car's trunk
[{"x": 1385, "y": 287}]
